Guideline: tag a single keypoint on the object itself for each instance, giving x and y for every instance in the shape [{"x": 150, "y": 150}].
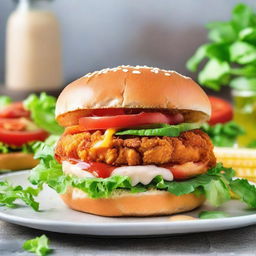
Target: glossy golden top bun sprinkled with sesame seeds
[{"x": 132, "y": 87}]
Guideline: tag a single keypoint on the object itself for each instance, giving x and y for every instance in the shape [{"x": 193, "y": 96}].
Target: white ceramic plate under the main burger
[{"x": 55, "y": 216}]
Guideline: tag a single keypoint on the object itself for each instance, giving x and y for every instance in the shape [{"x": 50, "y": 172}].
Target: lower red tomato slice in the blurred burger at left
[{"x": 18, "y": 138}]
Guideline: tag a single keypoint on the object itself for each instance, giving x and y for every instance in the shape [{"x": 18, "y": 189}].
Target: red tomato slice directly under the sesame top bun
[{"x": 124, "y": 121}]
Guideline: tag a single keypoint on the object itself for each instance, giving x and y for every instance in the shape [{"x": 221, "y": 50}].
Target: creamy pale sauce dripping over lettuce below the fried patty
[{"x": 142, "y": 173}]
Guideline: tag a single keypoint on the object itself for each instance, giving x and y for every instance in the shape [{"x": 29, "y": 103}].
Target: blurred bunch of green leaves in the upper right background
[{"x": 231, "y": 52}]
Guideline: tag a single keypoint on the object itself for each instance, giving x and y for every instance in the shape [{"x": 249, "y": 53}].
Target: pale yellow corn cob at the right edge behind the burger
[{"x": 242, "y": 160}]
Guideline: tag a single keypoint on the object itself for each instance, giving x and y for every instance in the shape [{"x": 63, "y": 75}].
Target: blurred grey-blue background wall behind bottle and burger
[{"x": 97, "y": 34}]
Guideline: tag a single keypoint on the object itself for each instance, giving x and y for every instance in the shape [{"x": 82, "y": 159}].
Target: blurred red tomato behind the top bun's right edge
[{"x": 222, "y": 111}]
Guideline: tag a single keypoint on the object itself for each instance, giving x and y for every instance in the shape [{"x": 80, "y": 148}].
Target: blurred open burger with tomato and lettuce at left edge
[{"x": 22, "y": 124}]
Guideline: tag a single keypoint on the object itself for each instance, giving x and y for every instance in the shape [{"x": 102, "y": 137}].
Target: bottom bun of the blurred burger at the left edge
[{"x": 17, "y": 161}]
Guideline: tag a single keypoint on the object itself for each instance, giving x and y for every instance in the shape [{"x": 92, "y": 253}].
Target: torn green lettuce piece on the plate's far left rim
[{"x": 9, "y": 194}]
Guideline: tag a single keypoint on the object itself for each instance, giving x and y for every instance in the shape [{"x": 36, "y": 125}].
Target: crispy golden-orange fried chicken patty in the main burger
[{"x": 190, "y": 146}]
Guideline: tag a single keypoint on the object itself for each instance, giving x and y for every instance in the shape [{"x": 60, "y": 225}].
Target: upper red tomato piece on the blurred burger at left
[{"x": 14, "y": 110}]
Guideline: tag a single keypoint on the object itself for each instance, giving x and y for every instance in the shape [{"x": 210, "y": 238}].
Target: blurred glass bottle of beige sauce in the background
[{"x": 33, "y": 48}]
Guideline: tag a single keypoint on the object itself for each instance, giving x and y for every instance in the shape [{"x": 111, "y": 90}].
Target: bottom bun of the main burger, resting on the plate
[{"x": 149, "y": 203}]
